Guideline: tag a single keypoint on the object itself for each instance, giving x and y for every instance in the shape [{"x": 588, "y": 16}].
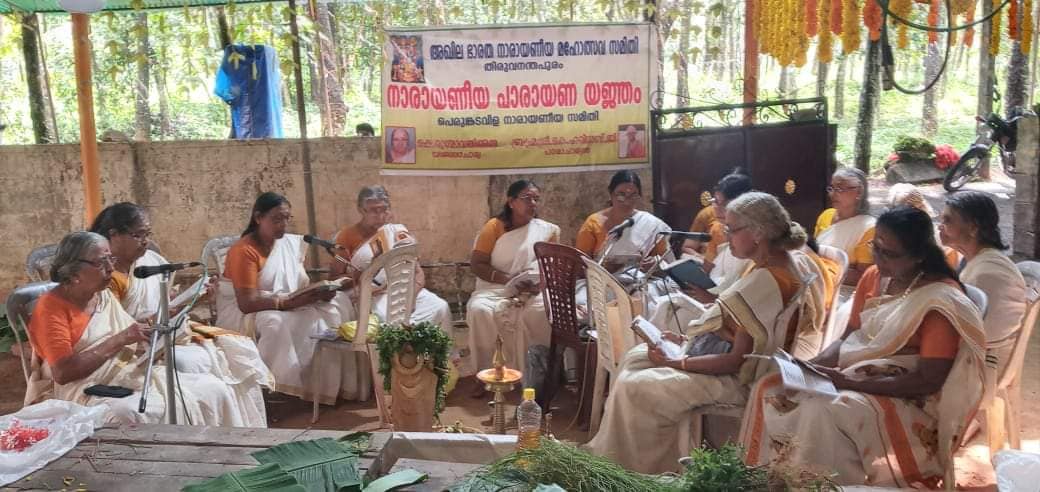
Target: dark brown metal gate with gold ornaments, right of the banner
[{"x": 788, "y": 154}]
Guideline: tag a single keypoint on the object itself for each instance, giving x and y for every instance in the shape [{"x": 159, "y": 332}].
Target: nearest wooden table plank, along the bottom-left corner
[{"x": 44, "y": 480}]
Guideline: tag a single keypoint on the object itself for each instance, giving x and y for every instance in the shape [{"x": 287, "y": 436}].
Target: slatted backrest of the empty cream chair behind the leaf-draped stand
[{"x": 401, "y": 265}]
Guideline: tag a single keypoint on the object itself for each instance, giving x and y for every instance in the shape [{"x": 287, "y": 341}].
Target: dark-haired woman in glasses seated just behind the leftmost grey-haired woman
[{"x": 232, "y": 358}]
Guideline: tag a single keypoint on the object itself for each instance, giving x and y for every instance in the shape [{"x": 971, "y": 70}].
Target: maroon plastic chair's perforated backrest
[{"x": 561, "y": 267}]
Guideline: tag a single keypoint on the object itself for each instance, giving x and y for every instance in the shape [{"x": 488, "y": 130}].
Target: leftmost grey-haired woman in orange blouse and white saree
[{"x": 83, "y": 338}]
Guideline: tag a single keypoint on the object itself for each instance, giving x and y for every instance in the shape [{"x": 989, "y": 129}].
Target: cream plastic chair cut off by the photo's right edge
[{"x": 1002, "y": 417}]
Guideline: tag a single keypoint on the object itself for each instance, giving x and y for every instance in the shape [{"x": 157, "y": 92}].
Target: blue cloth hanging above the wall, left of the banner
[{"x": 249, "y": 82}]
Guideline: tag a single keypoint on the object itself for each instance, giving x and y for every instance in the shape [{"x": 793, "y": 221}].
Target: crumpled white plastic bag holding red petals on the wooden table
[{"x": 68, "y": 424}]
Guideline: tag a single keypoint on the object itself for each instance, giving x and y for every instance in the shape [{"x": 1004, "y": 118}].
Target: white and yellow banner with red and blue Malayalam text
[{"x": 501, "y": 99}]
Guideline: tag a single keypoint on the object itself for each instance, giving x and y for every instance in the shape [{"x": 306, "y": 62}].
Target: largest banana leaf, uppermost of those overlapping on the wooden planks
[{"x": 320, "y": 465}]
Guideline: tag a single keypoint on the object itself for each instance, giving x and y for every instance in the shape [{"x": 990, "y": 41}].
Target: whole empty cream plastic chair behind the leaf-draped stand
[{"x": 401, "y": 265}]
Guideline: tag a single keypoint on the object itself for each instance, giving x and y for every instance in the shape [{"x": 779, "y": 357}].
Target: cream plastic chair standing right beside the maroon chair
[{"x": 613, "y": 340}]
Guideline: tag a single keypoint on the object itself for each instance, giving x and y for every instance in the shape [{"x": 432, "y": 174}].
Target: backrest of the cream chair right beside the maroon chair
[{"x": 604, "y": 289}]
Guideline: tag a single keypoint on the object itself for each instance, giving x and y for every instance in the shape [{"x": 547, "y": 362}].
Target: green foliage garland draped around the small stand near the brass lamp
[{"x": 427, "y": 341}]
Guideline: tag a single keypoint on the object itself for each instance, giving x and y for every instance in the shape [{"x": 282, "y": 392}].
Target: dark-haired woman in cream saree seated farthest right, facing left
[{"x": 971, "y": 225}]
